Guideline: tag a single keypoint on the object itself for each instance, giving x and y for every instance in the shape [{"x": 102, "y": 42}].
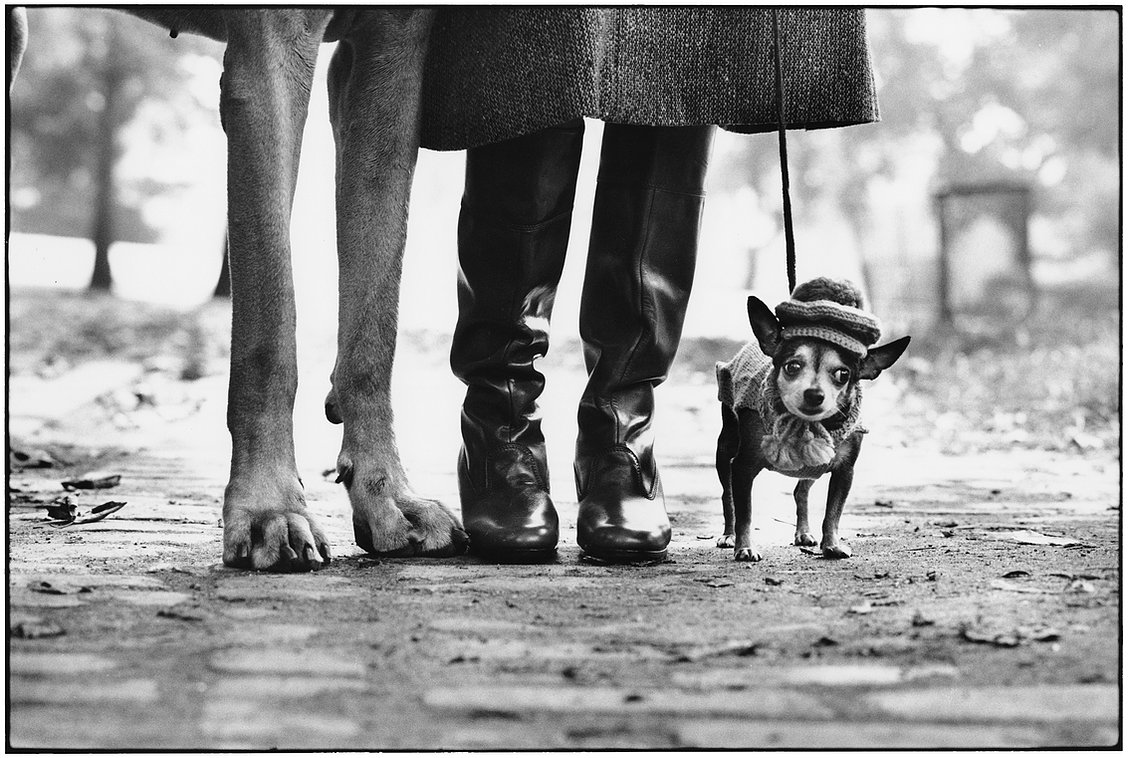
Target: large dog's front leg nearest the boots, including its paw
[{"x": 375, "y": 86}]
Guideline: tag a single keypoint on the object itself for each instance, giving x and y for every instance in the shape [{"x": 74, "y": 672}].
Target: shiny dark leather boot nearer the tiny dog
[{"x": 640, "y": 270}]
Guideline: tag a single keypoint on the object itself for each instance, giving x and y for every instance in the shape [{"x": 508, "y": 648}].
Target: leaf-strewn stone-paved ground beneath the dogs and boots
[{"x": 981, "y": 610}]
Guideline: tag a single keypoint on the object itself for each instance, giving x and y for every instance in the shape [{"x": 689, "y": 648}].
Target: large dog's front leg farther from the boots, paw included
[{"x": 268, "y": 70}]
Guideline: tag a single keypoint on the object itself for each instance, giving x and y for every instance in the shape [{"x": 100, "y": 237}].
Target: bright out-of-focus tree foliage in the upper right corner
[{"x": 1021, "y": 95}]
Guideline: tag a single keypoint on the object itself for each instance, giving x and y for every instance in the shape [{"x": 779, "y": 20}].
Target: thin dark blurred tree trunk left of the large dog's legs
[{"x": 103, "y": 232}]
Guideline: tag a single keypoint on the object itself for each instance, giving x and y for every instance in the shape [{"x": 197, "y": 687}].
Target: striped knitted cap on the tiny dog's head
[{"x": 832, "y": 311}]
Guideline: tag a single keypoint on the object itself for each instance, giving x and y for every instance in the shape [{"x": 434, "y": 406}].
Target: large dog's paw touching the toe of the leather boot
[{"x": 392, "y": 524}]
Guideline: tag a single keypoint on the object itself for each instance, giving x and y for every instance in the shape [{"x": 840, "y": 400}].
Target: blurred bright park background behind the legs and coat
[{"x": 116, "y": 138}]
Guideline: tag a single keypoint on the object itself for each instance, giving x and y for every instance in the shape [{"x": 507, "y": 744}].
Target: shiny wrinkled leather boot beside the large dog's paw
[{"x": 513, "y": 239}]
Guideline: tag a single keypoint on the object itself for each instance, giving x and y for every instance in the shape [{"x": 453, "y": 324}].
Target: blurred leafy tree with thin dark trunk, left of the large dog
[{"x": 89, "y": 76}]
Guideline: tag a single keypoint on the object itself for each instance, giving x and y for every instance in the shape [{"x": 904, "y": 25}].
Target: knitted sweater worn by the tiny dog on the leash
[{"x": 746, "y": 383}]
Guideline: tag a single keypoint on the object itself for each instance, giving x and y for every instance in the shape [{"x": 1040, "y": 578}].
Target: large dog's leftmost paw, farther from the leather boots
[{"x": 277, "y": 536}]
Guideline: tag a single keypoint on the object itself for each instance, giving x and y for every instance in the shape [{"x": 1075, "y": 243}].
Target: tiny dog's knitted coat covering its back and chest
[{"x": 744, "y": 383}]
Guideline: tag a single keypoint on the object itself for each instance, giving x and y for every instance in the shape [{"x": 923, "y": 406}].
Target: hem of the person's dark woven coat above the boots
[{"x": 498, "y": 73}]
